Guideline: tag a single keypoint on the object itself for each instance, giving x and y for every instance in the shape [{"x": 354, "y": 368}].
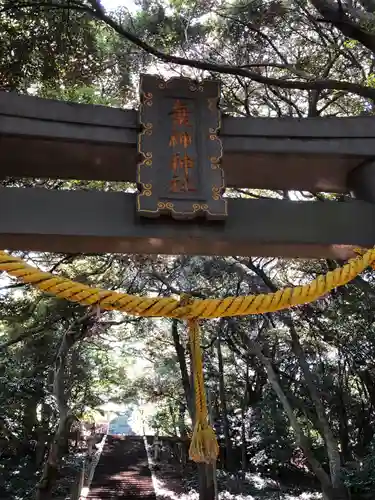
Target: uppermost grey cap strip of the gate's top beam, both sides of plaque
[{"x": 22, "y": 106}]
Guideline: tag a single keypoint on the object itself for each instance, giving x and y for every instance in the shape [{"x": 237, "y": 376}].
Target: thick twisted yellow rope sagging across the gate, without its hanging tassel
[{"x": 168, "y": 307}]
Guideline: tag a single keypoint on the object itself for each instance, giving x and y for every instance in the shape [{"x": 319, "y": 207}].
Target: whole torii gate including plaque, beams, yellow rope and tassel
[{"x": 180, "y": 170}]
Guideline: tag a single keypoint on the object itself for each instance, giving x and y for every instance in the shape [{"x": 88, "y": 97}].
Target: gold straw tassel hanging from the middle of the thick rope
[{"x": 204, "y": 447}]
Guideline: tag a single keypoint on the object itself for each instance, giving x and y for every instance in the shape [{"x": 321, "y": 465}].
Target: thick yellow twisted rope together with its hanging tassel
[{"x": 204, "y": 447}]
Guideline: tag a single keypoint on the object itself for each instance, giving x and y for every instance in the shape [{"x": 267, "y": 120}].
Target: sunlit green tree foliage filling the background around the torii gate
[{"x": 66, "y": 55}]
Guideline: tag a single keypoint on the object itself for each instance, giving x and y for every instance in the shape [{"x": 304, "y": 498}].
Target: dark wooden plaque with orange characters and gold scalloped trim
[{"x": 179, "y": 173}]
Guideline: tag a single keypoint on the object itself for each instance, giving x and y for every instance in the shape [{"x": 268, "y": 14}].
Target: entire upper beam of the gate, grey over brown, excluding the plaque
[{"x": 99, "y": 143}]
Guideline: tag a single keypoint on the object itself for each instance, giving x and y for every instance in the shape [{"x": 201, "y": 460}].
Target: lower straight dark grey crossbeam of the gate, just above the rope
[{"x": 94, "y": 221}]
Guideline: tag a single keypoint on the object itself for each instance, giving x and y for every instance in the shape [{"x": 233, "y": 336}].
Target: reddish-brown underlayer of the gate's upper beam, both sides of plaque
[{"x": 54, "y": 159}]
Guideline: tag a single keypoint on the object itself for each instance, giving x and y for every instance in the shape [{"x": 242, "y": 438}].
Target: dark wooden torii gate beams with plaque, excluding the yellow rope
[{"x": 52, "y": 139}]
